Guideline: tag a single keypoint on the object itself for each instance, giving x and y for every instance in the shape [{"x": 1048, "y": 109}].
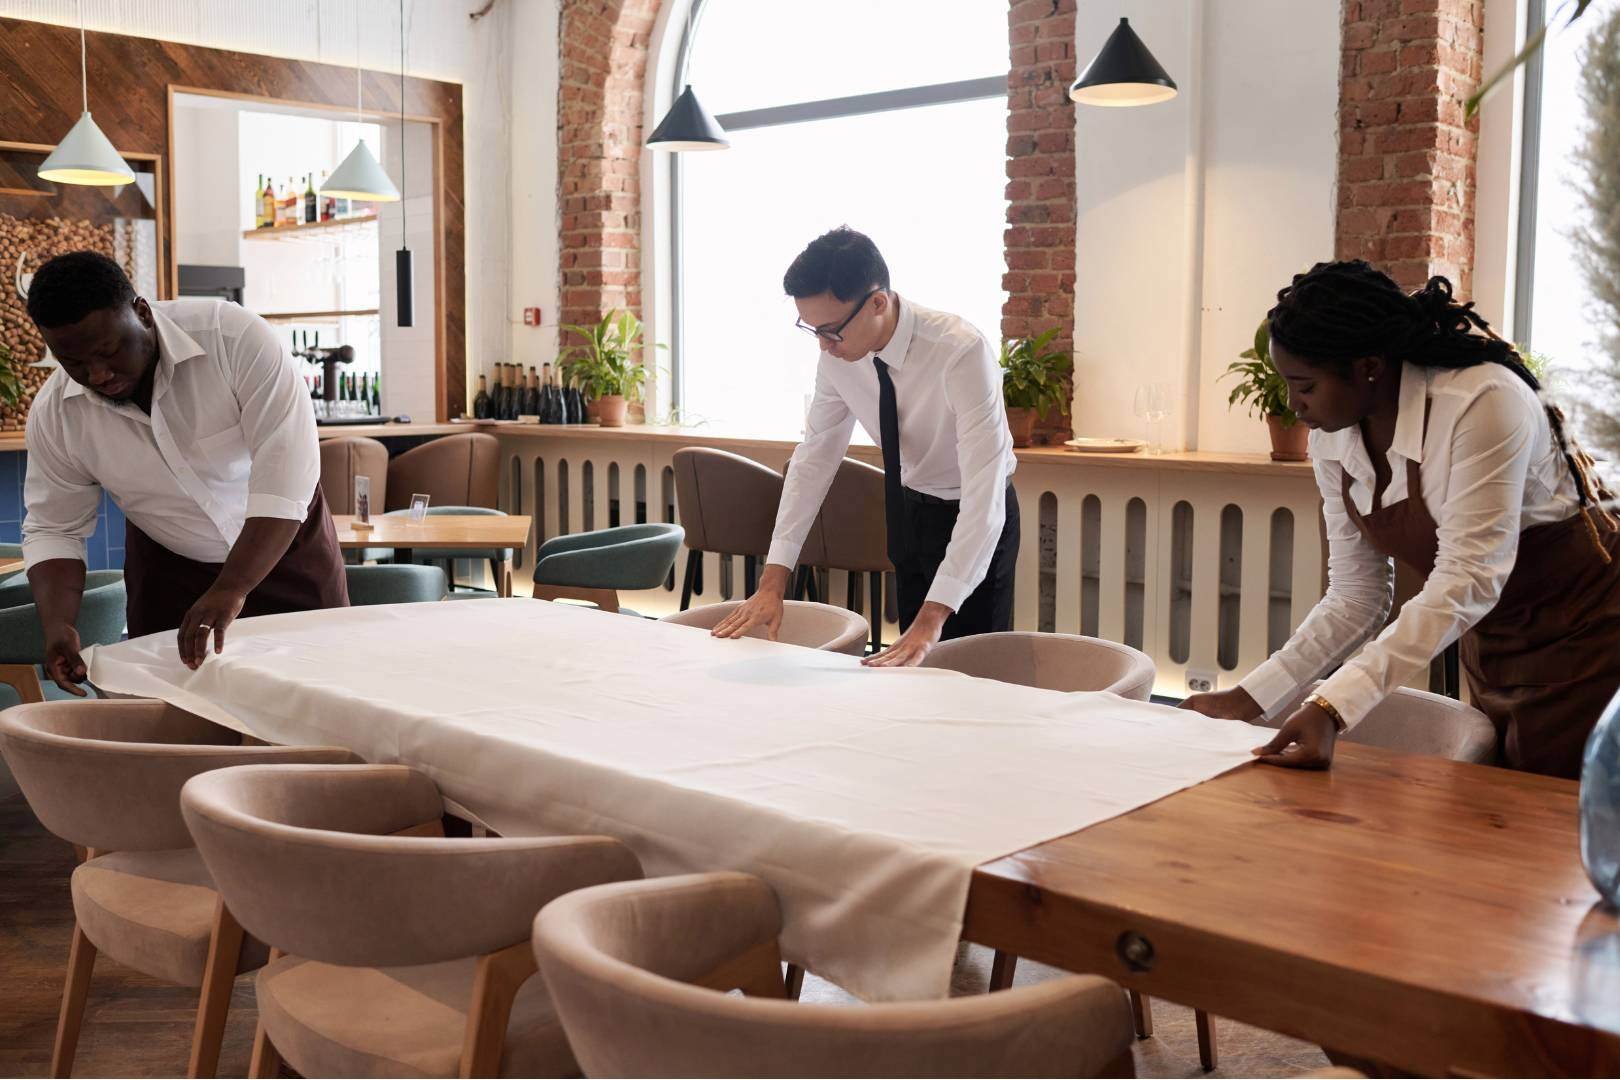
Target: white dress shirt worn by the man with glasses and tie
[{"x": 955, "y": 441}]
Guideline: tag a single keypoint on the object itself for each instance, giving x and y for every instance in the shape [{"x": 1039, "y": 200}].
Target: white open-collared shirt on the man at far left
[{"x": 231, "y": 438}]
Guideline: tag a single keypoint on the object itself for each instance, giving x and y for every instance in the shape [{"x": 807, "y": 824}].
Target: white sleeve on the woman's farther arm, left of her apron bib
[{"x": 1360, "y": 592}]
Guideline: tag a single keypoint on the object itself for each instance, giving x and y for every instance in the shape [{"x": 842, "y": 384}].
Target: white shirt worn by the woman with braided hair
[{"x": 1491, "y": 470}]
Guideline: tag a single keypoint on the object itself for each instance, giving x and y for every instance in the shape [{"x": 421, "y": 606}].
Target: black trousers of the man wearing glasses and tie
[{"x": 918, "y": 553}]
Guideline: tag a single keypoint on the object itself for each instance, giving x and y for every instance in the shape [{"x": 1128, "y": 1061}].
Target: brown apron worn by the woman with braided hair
[{"x": 1545, "y": 663}]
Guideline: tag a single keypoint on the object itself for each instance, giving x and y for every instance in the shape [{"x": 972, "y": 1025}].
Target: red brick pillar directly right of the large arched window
[{"x": 1041, "y": 177}]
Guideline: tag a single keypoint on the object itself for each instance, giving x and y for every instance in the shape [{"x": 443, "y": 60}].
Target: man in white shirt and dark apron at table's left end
[{"x": 192, "y": 417}]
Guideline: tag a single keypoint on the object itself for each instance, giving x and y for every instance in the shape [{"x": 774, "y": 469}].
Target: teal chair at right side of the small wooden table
[{"x": 595, "y": 566}]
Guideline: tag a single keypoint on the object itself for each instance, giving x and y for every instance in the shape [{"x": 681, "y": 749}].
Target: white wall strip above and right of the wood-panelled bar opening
[{"x": 443, "y": 45}]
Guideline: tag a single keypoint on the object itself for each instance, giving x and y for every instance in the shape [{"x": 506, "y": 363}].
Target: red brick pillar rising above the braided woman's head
[{"x": 1407, "y": 156}]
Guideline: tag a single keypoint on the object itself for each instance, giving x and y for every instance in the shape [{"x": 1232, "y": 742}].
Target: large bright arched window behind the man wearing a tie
[{"x": 885, "y": 116}]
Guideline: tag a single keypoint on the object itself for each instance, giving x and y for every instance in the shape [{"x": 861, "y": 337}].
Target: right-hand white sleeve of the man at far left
[{"x": 276, "y": 423}]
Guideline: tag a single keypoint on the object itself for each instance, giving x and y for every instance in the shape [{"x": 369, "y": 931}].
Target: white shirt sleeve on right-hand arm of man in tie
[{"x": 984, "y": 448}]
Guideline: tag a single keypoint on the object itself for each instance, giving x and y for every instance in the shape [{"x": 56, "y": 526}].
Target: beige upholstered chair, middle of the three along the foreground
[{"x": 398, "y": 953}]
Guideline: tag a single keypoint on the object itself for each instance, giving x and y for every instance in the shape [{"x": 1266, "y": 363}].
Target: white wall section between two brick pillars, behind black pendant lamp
[{"x": 1195, "y": 213}]
